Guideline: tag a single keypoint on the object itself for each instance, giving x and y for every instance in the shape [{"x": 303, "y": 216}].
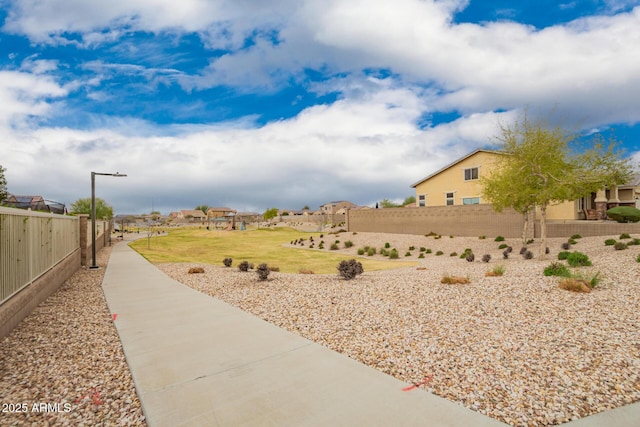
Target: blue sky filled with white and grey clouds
[{"x": 254, "y": 104}]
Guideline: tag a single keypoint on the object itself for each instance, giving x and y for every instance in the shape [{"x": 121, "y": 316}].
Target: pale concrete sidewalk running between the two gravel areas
[{"x": 197, "y": 361}]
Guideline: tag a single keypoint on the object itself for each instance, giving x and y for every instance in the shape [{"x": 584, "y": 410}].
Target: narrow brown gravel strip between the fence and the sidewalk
[{"x": 64, "y": 364}]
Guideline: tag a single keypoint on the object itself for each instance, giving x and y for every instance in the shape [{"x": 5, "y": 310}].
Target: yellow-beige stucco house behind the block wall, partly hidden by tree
[{"x": 459, "y": 184}]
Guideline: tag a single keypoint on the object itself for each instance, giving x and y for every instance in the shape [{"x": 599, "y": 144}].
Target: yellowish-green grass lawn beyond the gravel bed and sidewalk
[{"x": 256, "y": 246}]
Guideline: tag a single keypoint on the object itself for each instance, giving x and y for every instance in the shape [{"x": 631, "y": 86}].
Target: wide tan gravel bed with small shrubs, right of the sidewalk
[{"x": 516, "y": 348}]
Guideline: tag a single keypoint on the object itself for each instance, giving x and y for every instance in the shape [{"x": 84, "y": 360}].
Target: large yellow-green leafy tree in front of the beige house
[{"x": 542, "y": 166}]
